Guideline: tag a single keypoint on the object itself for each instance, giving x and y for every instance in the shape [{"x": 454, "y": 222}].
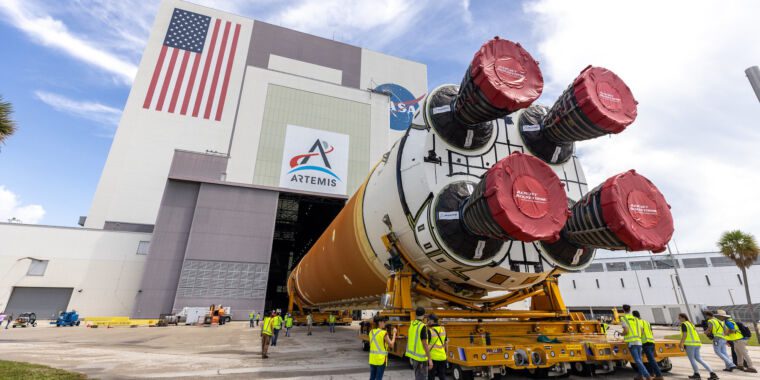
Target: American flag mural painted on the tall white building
[{"x": 192, "y": 73}]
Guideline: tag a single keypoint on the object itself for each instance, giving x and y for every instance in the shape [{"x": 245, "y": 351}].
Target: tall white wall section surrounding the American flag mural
[{"x": 134, "y": 176}]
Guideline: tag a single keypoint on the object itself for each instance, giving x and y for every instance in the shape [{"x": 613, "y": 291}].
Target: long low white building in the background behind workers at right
[{"x": 658, "y": 286}]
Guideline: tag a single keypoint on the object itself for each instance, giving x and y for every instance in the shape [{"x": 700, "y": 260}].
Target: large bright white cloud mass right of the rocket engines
[{"x": 696, "y": 135}]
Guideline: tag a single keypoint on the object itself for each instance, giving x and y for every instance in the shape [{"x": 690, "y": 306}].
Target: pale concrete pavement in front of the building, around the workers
[{"x": 231, "y": 351}]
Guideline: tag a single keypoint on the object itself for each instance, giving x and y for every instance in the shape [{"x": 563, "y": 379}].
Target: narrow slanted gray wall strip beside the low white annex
[{"x": 167, "y": 250}]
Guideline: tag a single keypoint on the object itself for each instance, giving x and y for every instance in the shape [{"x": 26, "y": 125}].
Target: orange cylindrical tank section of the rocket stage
[{"x": 338, "y": 266}]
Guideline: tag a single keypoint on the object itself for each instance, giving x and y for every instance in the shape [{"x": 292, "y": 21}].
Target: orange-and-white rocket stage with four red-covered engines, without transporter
[{"x": 487, "y": 195}]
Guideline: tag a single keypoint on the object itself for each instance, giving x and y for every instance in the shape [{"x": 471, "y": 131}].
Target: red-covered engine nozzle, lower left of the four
[{"x": 519, "y": 198}]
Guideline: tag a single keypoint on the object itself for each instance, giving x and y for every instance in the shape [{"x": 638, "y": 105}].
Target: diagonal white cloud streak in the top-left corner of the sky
[{"x": 52, "y": 32}]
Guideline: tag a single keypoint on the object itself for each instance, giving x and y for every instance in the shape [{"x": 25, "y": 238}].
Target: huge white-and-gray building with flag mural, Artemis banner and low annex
[{"x": 238, "y": 144}]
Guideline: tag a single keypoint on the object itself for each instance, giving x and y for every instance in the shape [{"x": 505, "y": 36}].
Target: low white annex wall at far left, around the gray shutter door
[{"x": 102, "y": 267}]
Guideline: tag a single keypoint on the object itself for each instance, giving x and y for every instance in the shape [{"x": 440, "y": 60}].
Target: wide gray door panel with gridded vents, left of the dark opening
[{"x": 230, "y": 243}]
